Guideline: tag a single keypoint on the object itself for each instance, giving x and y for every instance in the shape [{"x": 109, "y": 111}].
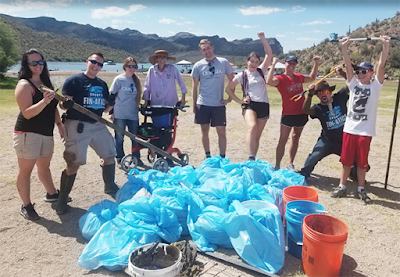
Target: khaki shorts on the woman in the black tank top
[{"x": 31, "y": 146}]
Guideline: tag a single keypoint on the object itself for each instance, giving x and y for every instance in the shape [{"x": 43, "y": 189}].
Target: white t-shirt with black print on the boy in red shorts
[{"x": 363, "y": 107}]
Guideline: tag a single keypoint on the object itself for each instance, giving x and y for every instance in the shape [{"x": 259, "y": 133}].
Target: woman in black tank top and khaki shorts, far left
[{"x": 33, "y": 132}]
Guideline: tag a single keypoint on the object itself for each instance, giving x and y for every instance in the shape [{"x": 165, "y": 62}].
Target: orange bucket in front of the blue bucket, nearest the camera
[{"x": 324, "y": 238}]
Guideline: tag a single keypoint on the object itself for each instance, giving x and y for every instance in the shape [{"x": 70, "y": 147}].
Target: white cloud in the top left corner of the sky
[{"x": 19, "y": 6}]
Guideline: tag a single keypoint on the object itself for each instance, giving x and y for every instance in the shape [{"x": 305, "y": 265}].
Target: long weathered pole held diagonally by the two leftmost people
[{"x": 98, "y": 118}]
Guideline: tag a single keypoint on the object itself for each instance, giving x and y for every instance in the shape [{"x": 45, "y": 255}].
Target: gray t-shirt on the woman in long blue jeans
[{"x": 125, "y": 102}]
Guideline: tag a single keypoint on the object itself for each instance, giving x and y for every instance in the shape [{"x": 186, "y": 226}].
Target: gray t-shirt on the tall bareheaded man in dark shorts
[{"x": 211, "y": 75}]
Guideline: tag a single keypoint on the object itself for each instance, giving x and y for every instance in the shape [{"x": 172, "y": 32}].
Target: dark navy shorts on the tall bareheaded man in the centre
[{"x": 208, "y": 114}]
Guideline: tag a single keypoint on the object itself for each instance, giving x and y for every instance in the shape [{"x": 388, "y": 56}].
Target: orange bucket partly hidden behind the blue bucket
[{"x": 298, "y": 193}]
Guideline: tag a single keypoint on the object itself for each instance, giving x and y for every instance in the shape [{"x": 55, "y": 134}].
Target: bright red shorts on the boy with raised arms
[{"x": 355, "y": 148}]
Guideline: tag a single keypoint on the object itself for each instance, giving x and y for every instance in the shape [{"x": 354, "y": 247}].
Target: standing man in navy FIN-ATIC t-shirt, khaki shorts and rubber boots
[{"x": 89, "y": 91}]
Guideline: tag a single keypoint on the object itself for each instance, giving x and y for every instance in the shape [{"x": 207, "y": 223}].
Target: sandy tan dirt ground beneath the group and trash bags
[{"x": 52, "y": 245}]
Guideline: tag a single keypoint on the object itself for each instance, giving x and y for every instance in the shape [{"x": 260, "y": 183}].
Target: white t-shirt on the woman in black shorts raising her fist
[{"x": 255, "y": 88}]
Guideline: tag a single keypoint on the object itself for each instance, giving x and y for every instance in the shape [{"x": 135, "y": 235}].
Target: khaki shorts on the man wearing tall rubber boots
[{"x": 95, "y": 135}]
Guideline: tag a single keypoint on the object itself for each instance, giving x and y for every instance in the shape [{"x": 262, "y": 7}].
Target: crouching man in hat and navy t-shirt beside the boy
[{"x": 331, "y": 112}]
